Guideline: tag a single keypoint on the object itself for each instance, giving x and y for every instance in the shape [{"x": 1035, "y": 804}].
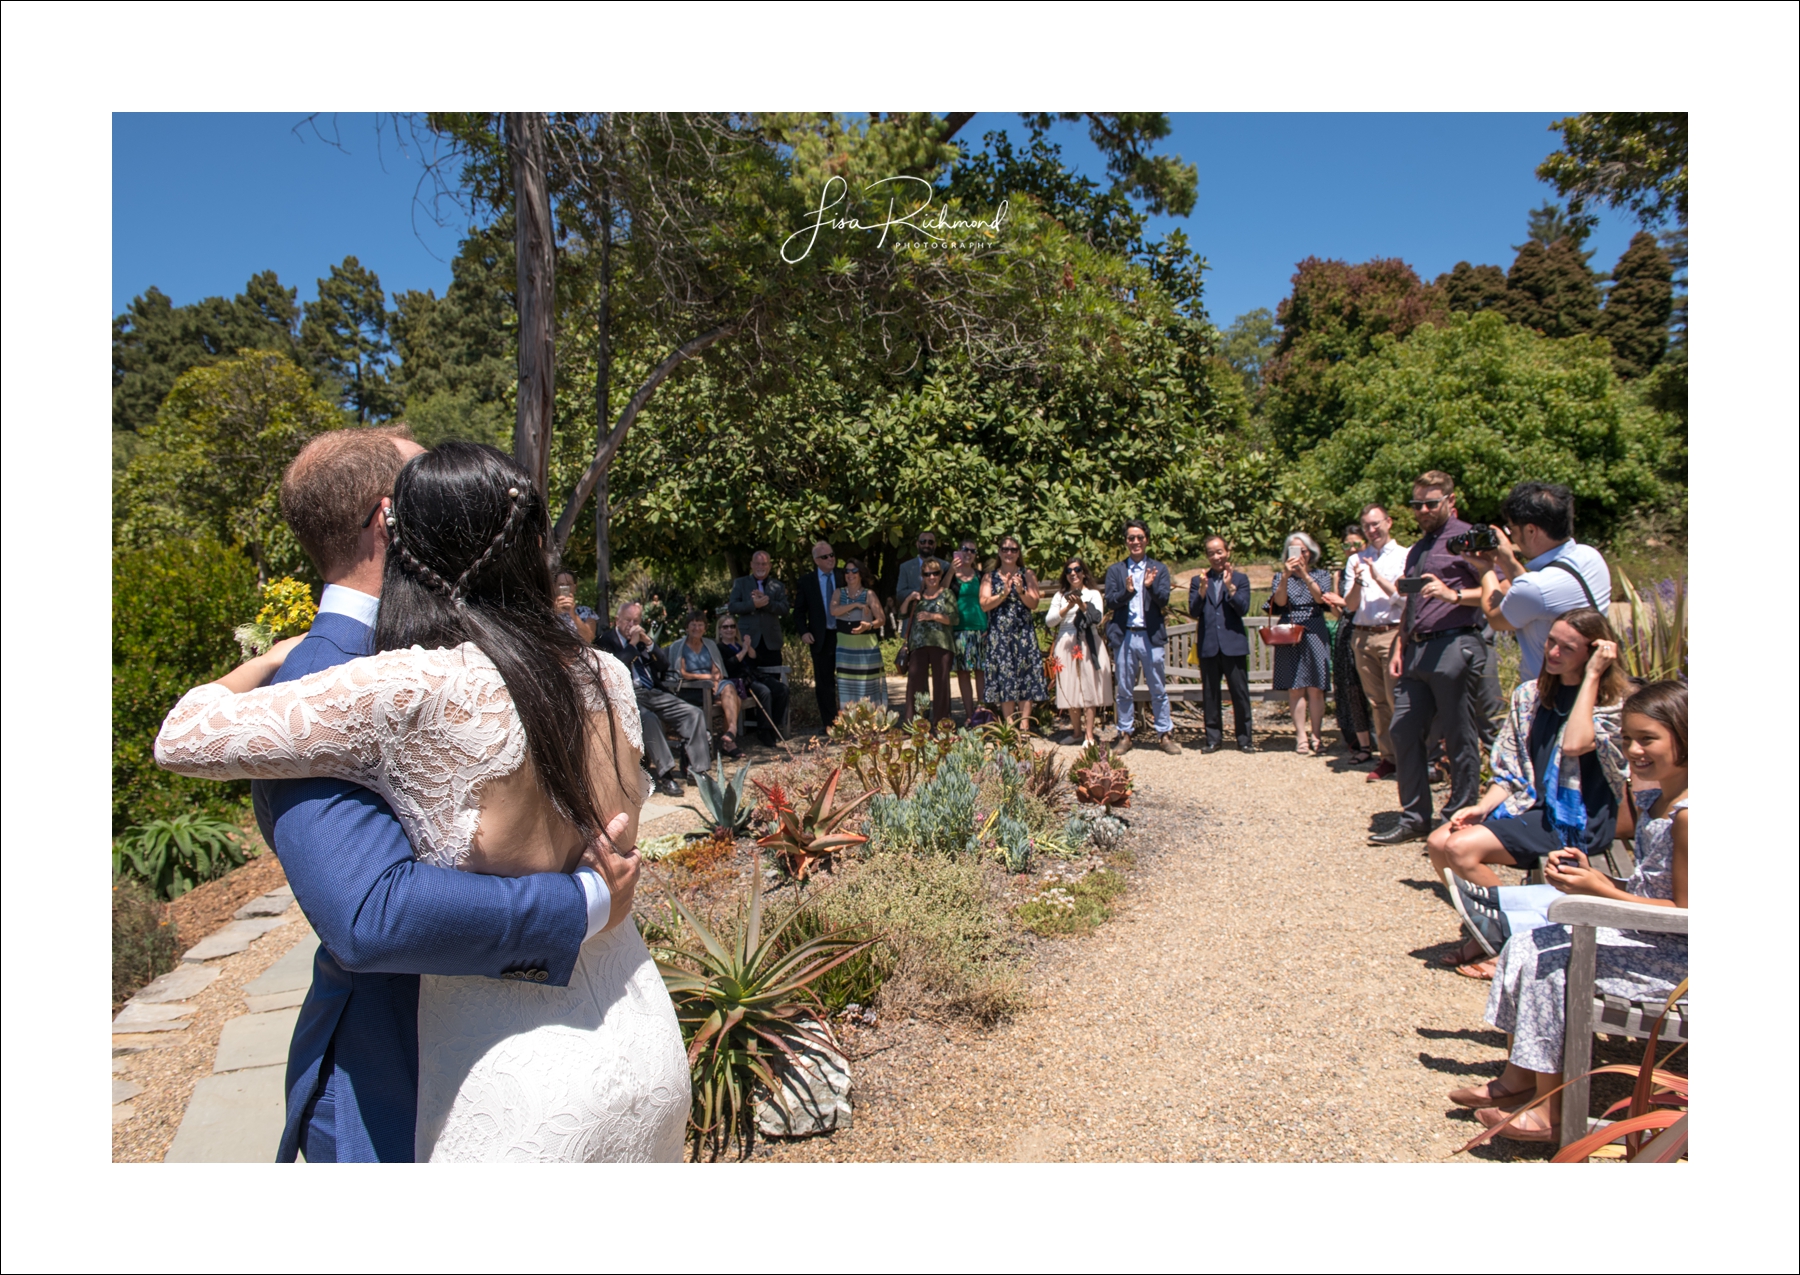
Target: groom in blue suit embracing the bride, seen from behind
[{"x": 381, "y": 916}]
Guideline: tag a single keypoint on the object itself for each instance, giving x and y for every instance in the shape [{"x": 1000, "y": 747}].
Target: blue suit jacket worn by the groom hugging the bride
[{"x": 382, "y": 921}]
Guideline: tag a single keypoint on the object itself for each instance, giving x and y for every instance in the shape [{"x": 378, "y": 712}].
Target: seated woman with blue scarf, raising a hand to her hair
[{"x": 1560, "y": 775}]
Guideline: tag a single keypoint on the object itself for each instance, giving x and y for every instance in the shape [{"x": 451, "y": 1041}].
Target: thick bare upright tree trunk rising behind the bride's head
[{"x": 535, "y": 244}]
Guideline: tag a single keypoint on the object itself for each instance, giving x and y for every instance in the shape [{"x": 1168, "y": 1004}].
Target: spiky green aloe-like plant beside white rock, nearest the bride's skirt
[{"x": 746, "y": 1006}]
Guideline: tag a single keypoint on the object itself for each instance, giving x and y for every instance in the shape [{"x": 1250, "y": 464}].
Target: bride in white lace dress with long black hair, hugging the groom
[{"x": 501, "y": 741}]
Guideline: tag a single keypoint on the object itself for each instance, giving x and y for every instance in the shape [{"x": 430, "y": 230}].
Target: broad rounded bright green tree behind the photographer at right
[{"x": 1491, "y": 404}]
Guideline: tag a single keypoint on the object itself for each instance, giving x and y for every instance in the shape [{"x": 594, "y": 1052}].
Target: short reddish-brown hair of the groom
[{"x": 327, "y": 493}]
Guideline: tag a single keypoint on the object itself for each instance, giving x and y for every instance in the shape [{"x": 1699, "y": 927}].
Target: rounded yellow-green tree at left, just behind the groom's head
[{"x": 211, "y": 464}]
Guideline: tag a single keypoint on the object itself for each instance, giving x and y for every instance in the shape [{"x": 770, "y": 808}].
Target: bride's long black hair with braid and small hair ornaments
[{"x": 465, "y": 563}]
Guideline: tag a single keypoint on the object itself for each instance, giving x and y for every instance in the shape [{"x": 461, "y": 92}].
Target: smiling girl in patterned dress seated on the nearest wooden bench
[{"x": 1527, "y": 999}]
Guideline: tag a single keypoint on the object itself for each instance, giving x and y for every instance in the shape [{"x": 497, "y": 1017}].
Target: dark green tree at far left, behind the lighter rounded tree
[{"x": 156, "y": 341}]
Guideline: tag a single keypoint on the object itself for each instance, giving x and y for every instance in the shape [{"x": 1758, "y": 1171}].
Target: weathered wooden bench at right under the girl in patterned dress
[{"x": 1585, "y": 1013}]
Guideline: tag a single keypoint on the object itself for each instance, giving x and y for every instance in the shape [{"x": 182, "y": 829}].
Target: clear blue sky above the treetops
[{"x": 202, "y": 203}]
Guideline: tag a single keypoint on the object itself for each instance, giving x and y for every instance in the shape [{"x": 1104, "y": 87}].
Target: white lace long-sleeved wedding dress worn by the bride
[{"x": 508, "y": 1071}]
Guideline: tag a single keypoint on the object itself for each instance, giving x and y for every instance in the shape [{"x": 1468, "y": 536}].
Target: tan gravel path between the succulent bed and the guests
[{"x": 1270, "y": 991}]
